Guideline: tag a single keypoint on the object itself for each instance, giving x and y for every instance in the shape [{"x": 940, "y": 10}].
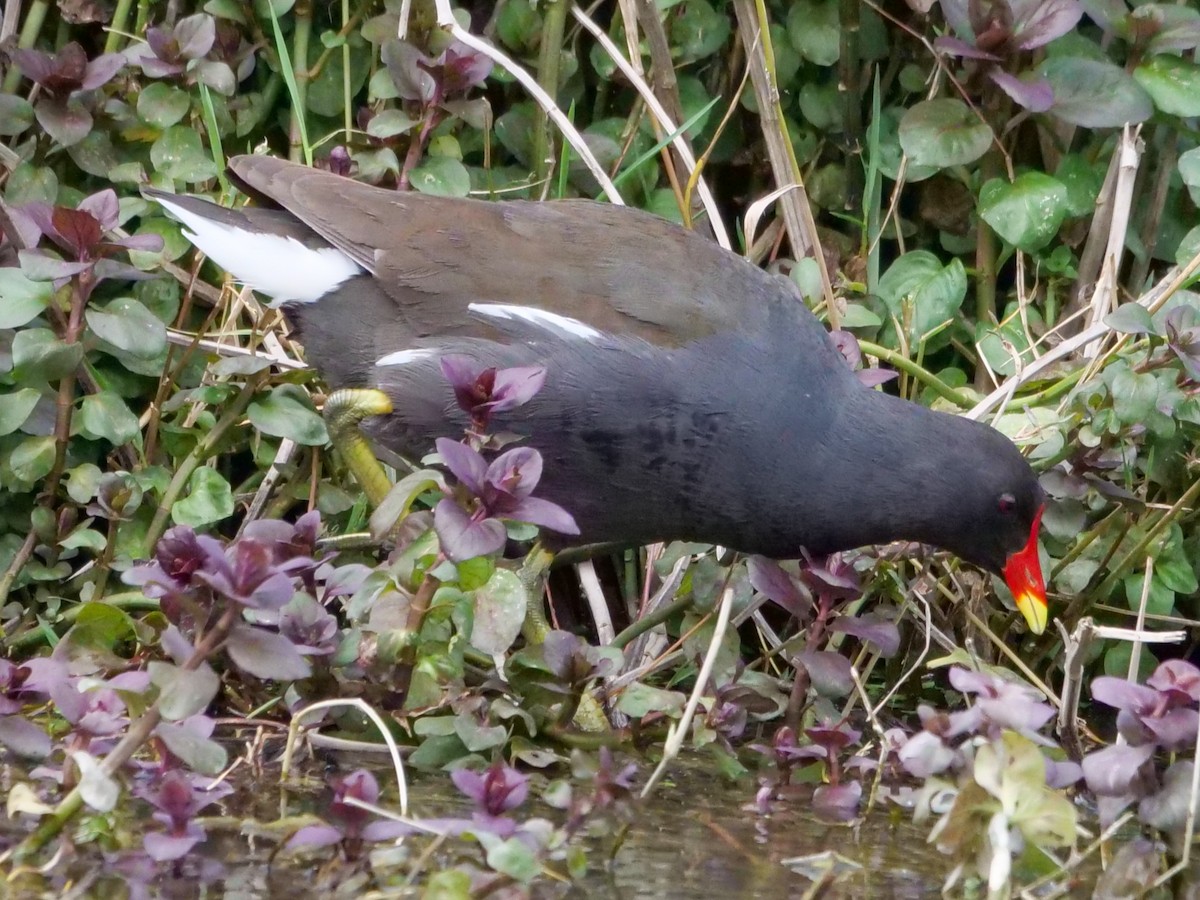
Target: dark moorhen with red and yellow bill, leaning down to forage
[{"x": 689, "y": 394}]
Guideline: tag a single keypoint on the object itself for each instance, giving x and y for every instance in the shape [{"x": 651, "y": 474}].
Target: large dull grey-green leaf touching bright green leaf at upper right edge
[{"x": 1095, "y": 94}]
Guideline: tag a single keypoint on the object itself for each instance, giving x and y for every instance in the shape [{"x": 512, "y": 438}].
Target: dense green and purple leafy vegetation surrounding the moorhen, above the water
[{"x": 994, "y": 200}]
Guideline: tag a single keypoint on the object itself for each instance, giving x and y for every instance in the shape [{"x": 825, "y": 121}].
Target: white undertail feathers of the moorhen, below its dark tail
[{"x": 281, "y": 268}]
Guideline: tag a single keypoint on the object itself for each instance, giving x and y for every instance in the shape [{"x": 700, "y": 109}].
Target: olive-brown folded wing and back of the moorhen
[{"x": 619, "y": 269}]
